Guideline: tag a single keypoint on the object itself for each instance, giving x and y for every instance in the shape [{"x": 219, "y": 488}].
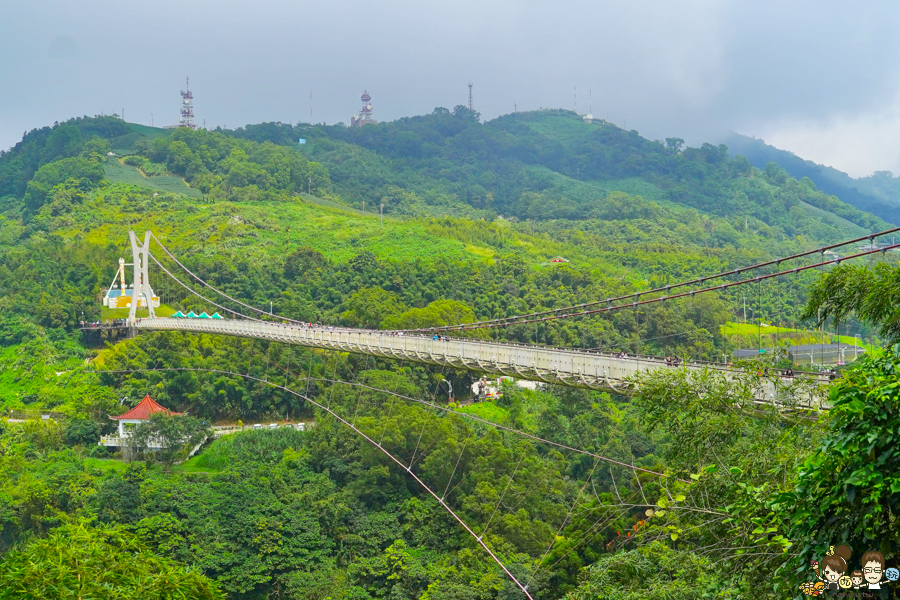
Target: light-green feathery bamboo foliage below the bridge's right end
[{"x": 740, "y": 455}]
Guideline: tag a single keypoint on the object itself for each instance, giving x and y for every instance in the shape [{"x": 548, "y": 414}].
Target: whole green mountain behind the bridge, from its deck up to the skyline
[{"x": 464, "y": 201}]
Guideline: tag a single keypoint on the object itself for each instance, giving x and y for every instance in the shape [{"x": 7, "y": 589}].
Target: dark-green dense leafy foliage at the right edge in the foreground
[{"x": 848, "y": 491}]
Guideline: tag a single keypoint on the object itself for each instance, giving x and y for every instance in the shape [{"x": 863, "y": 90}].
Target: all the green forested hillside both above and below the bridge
[{"x": 474, "y": 213}]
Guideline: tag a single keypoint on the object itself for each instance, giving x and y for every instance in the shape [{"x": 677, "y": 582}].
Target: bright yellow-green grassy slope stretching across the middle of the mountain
[{"x": 267, "y": 232}]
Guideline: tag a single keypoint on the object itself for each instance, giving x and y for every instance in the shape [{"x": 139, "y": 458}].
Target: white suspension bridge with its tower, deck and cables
[{"x": 563, "y": 366}]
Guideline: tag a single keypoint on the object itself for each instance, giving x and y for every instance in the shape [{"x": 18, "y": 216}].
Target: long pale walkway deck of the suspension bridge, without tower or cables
[{"x": 549, "y": 365}]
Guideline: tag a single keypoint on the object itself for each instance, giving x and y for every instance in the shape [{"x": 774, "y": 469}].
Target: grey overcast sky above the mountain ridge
[{"x": 817, "y": 78}]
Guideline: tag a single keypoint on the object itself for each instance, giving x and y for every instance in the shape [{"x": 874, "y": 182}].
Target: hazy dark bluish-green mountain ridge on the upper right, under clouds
[{"x": 551, "y": 165}]
